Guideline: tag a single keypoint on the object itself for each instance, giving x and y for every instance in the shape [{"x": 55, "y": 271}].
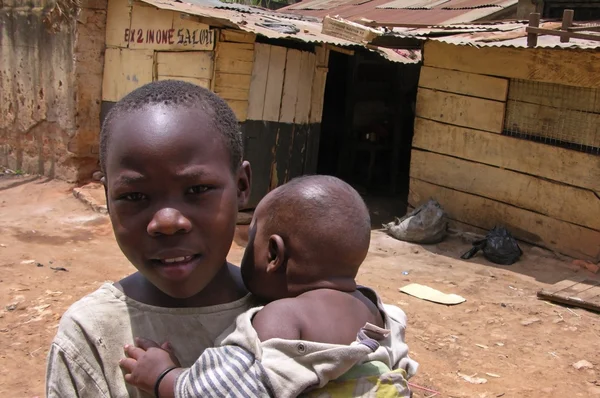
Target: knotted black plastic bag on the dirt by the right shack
[{"x": 498, "y": 247}]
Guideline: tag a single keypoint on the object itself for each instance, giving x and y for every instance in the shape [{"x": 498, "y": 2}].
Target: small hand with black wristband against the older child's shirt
[{"x": 145, "y": 362}]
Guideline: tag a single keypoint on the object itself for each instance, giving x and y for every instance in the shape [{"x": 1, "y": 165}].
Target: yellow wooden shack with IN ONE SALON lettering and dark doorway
[{"x": 273, "y": 71}]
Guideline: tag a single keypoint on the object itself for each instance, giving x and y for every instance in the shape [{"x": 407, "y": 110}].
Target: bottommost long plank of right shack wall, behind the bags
[{"x": 566, "y": 238}]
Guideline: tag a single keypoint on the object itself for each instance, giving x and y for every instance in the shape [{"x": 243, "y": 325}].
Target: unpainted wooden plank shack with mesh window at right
[{"x": 510, "y": 135}]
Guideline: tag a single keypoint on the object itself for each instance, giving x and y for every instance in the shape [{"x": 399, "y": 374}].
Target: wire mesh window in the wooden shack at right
[{"x": 554, "y": 114}]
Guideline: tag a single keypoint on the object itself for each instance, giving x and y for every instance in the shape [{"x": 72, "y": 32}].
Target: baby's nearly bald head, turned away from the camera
[{"x": 313, "y": 232}]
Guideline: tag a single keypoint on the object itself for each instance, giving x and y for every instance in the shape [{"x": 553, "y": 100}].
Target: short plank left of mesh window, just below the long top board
[{"x": 464, "y": 83}]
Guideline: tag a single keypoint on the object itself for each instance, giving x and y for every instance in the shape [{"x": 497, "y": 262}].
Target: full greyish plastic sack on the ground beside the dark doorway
[{"x": 427, "y": 224}]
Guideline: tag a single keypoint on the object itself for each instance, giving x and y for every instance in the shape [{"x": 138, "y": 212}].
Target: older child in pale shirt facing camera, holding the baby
[{"x": 171, "y": 153}]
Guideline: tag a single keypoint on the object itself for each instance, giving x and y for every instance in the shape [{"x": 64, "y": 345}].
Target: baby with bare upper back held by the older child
[{"x": 307, "y": 241}]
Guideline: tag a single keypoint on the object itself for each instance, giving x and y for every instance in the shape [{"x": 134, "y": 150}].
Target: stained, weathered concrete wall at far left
[{"x": 50, "y": 89}]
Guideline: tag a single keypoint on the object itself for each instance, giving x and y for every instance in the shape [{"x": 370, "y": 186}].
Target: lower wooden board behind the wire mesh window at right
[{"x": 553, "y": 123}]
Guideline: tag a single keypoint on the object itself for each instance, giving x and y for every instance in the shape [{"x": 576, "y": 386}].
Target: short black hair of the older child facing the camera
[{"x": 178, "y": 93}]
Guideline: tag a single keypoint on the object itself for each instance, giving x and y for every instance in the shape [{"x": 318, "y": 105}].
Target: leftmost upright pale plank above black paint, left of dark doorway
[{"x": 258, "y": 83}]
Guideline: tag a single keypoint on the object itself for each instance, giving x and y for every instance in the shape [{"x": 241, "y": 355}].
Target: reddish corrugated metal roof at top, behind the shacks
[{"x": 426, "y": 12}]
